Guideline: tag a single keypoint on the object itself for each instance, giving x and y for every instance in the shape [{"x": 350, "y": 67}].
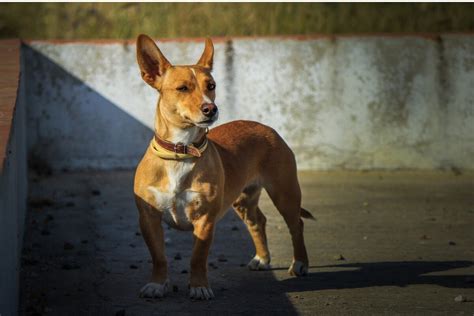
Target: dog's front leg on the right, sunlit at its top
[{"x": 203, "y": 234}]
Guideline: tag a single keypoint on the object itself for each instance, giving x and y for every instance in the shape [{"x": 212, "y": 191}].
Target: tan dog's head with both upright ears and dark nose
[{"x": 187, "y": 92}]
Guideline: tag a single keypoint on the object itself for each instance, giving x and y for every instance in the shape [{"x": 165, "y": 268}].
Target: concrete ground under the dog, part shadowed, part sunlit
[{"x": 383, "y": 243}]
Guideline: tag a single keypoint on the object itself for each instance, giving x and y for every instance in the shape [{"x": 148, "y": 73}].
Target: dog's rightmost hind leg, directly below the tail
[{"x": 284, "y": 191}]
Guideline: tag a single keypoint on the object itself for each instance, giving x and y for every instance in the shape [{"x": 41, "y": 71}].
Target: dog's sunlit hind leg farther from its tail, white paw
[{"x": 246, "y": 206}]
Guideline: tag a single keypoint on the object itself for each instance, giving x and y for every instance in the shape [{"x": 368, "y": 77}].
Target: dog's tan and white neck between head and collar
[{"x": 173, "y": 133}]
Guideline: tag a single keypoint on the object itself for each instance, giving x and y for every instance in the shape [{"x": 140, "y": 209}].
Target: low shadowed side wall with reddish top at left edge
[{"x": 13, "y": 174}]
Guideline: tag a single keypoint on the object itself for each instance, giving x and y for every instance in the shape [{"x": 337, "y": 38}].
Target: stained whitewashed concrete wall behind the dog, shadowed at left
[{"x": 344, "y": 102}]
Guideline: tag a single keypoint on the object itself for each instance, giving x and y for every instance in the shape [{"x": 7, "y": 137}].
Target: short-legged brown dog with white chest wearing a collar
[{"x": 189, "y": 178}]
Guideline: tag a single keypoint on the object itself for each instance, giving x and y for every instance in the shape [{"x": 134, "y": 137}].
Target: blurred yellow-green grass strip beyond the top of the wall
[{"x": 126, "y": 20}]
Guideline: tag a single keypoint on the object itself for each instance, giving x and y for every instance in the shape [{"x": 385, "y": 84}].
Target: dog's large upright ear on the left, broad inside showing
[{"x": 151, "y": 60}]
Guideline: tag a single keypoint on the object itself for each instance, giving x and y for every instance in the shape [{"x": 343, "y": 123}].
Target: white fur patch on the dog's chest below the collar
[{"x": 174, "y": 201}]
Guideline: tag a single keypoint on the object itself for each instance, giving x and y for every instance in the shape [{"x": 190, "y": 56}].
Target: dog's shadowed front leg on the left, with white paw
[{"x": 152, "y": 231}]
